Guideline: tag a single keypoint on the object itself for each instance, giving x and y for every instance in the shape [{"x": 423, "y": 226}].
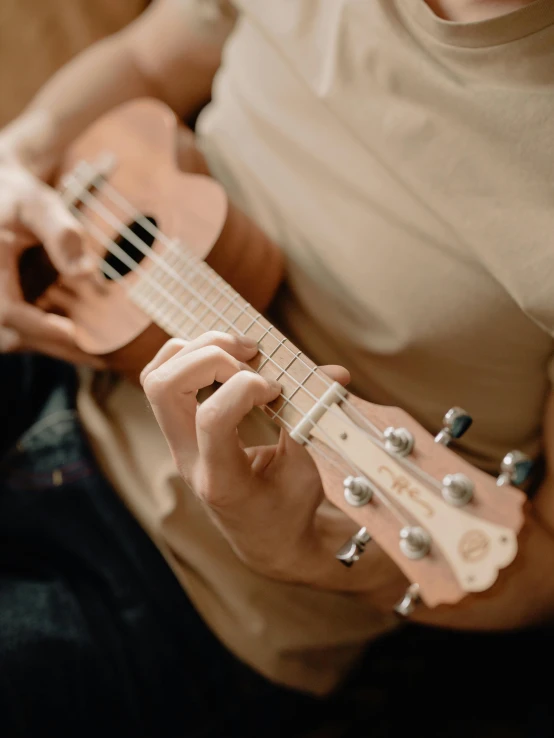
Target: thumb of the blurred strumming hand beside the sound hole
[{"x": 44, "y": 214}]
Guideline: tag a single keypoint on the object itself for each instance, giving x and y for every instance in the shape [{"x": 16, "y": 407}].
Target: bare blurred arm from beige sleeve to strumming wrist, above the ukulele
[{"x": 160, "y": 55}]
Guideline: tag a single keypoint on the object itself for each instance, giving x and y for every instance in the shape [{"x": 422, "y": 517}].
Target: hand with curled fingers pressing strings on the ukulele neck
[{"x": 263, "y": 499}]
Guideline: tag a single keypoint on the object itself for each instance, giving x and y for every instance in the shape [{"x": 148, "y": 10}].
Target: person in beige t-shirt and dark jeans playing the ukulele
[{"x": 398, "y": 152}]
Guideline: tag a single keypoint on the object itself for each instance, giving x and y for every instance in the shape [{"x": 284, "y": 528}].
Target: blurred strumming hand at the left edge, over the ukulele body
[{"x": 32, "y": 212}]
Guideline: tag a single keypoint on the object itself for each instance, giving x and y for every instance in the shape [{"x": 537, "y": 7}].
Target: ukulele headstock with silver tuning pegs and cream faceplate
[{"x": 449, "y": 526}]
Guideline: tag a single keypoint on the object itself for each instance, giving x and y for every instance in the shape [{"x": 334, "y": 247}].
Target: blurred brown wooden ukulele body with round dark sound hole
[{"x": 157, "y": 169}]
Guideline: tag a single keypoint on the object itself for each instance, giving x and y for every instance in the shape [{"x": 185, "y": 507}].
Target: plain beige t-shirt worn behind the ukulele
[{"x": 405, "y": 165}]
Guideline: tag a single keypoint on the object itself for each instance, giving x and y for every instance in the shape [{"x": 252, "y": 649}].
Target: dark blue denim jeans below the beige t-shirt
[{"x": 96, "y": 635}]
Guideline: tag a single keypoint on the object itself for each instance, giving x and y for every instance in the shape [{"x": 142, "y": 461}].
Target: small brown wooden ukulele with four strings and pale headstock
[{"x": 171, "y": 262}]
